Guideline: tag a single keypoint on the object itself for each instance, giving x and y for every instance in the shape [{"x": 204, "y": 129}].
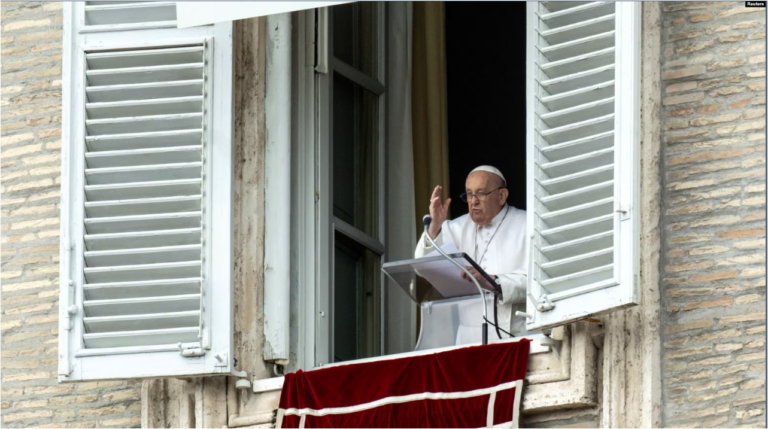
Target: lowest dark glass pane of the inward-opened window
[{"x": 356, "y": 301}]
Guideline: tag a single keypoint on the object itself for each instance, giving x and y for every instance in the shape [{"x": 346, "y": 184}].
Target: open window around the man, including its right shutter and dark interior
[{"x": 551, "y": 98}]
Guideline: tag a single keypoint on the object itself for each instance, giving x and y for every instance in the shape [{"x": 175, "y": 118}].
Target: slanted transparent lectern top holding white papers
[{"x": 440, "y": 274}]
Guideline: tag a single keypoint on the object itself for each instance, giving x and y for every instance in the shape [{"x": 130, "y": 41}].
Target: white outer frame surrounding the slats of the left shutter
[{"x": 75, "y": 362}]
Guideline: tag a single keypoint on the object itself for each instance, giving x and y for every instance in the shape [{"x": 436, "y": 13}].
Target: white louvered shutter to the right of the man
[{"x": 583, "y": 158}]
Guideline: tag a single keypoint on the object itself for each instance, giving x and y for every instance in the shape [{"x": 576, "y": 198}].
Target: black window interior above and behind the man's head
[{"x": 486, "y": 94}]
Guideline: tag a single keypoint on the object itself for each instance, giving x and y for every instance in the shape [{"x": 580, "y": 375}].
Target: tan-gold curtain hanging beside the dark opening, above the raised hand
[{"x": 429, "y": 104}]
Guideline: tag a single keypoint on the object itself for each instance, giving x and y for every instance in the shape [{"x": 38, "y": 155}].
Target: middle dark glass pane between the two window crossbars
[{"x": 355, "y": 155}]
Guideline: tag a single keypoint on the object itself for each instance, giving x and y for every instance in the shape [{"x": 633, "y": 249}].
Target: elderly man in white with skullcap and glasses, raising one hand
[{"x": 492, "y": 234}]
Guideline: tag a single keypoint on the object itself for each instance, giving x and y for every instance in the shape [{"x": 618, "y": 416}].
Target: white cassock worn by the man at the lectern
[{"x": 500, "y": 248}]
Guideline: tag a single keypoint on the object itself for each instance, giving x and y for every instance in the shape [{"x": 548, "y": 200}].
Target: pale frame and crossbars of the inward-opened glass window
[{"x": 312, "y": 237}]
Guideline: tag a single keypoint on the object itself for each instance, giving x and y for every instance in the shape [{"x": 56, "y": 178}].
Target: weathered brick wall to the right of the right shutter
[{"x": 713, "y": 262}]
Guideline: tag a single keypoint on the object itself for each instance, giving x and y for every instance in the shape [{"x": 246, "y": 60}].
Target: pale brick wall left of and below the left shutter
[{"x": 30, "y": 143}]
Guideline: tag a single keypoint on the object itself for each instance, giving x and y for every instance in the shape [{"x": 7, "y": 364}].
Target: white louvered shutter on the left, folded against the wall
[{"x": 146, "y": 195}]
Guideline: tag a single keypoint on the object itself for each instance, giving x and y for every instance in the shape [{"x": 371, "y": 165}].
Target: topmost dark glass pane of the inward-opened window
[{"x": 354, "y": 35}]
